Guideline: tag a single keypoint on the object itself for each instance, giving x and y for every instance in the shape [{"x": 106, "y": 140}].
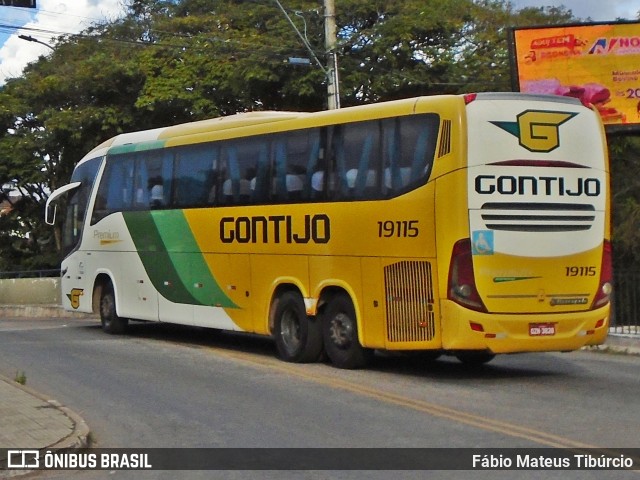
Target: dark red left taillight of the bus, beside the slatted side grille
[{"x": 462, "y": 284}]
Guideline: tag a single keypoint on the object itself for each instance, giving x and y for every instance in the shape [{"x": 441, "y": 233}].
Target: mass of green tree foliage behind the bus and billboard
[{"x": 171, "y": 61}]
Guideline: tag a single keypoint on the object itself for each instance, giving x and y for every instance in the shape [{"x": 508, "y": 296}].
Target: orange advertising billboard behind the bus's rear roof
[{"x": 598, "y": 63}]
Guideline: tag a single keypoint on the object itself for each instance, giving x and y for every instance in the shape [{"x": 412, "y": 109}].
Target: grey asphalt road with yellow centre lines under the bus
[{"x": 169, "y": 386}]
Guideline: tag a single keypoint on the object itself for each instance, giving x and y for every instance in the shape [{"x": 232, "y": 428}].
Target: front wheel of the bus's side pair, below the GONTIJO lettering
[{"x": 298, "y": 337}]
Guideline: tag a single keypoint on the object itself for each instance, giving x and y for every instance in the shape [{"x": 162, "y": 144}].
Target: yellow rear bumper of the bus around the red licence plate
[{"x": 509, "y": 333}]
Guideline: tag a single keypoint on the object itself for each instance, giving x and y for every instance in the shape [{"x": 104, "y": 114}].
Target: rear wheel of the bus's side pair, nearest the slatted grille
[{"x": 340, "y": 334}]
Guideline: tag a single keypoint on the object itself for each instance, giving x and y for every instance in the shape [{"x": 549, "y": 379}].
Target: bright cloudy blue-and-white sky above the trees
[{"x": 55, "y": 17}]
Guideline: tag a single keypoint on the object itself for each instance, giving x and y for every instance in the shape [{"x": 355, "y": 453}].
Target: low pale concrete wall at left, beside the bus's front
[{"x": 30, "y": 291}]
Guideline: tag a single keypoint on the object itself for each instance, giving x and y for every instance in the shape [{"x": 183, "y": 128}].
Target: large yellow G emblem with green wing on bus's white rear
[{"x": 537, "y": 130}]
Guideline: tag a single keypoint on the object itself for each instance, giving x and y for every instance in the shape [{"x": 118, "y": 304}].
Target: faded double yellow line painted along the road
[{"x": 459, "y": 416}]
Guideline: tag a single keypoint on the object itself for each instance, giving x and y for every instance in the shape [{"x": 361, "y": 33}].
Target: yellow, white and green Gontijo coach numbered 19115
[{"x": 466, "y": 225}]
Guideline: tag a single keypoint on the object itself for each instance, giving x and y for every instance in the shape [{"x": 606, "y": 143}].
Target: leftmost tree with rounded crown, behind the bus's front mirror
[{"x": 61, "y": 108}]
